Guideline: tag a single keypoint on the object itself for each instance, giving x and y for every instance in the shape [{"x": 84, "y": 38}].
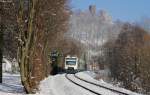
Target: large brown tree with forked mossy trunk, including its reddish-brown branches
[{"x": 43, "y": 20}]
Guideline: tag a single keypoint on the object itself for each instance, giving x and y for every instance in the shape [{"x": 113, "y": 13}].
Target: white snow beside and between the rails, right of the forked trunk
[{"x": 59, "y": 85}]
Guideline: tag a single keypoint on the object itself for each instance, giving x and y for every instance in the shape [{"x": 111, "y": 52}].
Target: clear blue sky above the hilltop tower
[{"x": 125, "y": 10}]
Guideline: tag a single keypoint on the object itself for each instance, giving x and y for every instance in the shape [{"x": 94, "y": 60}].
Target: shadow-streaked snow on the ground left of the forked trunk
[{"x": 11, "y": 85}]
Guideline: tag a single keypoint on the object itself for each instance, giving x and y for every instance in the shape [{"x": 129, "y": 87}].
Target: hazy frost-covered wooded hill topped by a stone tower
[{"x": 92, "y": 30}]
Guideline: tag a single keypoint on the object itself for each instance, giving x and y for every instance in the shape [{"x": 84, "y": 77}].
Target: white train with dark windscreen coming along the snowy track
[{"x": 71, "y": 63}]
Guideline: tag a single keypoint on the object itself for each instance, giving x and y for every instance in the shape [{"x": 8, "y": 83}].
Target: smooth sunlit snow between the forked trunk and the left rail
[{"x": 59, "y": 85}]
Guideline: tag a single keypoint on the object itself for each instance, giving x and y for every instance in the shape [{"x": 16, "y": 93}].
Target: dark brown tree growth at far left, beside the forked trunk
[{"x": 8, "y": 26}]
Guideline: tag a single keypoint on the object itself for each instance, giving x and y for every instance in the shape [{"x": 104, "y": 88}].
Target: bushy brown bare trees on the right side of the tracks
[{"x": 128, "y": 58}]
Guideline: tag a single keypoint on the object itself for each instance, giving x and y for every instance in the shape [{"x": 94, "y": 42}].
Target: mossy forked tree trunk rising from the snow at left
[{"x": 25, "y": 46}]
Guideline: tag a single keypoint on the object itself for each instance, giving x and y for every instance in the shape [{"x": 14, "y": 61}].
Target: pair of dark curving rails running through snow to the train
[{"x": 98, "y": 85}]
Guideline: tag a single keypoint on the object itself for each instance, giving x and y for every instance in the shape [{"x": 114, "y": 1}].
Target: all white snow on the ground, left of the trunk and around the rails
[{"x": 57, "y": 85}]
